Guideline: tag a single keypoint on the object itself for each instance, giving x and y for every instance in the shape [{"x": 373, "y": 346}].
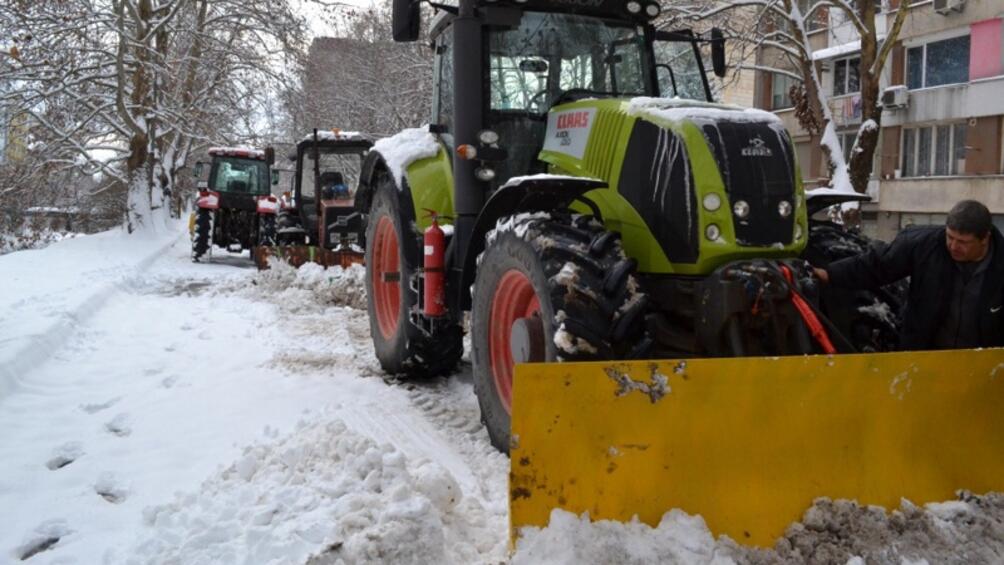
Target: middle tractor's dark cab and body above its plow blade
[{"x": 321, "y": 210}]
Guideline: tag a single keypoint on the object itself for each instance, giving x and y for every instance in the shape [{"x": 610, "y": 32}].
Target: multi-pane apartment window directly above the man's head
[{"x": 934, "y": 151}]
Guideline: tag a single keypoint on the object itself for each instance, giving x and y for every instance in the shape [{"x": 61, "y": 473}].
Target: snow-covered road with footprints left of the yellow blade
[{"x": 210, "y": 414}]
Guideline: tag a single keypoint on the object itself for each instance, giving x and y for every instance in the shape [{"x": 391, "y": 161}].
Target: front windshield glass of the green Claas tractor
[{"x": 552, "y": 54}]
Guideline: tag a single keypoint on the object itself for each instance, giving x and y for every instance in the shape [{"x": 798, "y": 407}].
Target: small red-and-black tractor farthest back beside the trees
[{"x": 235, "y": 208}]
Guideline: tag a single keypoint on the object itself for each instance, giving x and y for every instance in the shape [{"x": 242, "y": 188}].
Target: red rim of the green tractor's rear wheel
[{"x": 387, "y": 278}]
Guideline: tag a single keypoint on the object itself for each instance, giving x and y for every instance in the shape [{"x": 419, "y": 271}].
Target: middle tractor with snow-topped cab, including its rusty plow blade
[{"x": 318, "y": 220}]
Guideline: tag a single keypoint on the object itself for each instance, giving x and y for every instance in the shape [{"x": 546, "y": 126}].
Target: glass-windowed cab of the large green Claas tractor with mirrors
[{"x": 539, "y": 56}]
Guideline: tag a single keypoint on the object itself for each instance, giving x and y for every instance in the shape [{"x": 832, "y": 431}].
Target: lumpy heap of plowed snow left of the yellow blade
[{"x": 325, "y": 494}]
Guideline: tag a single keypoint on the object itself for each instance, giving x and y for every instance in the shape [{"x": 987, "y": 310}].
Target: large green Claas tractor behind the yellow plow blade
[{"x": 583, "y": 198}]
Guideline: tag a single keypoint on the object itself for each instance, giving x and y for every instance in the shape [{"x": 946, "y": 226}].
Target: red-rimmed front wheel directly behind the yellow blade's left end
[{"x": 559, "y": 290}]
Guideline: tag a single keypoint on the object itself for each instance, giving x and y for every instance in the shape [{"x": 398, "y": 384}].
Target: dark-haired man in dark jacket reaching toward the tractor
[{"x": 956, "y": 280}]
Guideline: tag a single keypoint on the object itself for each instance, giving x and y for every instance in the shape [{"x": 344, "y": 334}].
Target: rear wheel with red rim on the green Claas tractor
[{"x": 401, "y": 347}]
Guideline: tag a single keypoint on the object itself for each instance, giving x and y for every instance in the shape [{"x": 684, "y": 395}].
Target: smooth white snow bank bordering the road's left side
[{"x": 47, "y": 294}]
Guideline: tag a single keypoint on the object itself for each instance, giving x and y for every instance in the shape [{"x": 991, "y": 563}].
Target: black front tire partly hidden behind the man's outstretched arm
[{"x": 870, "y": 320}]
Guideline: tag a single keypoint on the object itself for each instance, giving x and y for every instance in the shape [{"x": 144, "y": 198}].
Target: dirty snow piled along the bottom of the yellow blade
[{"x": 969, "y": 530}]
